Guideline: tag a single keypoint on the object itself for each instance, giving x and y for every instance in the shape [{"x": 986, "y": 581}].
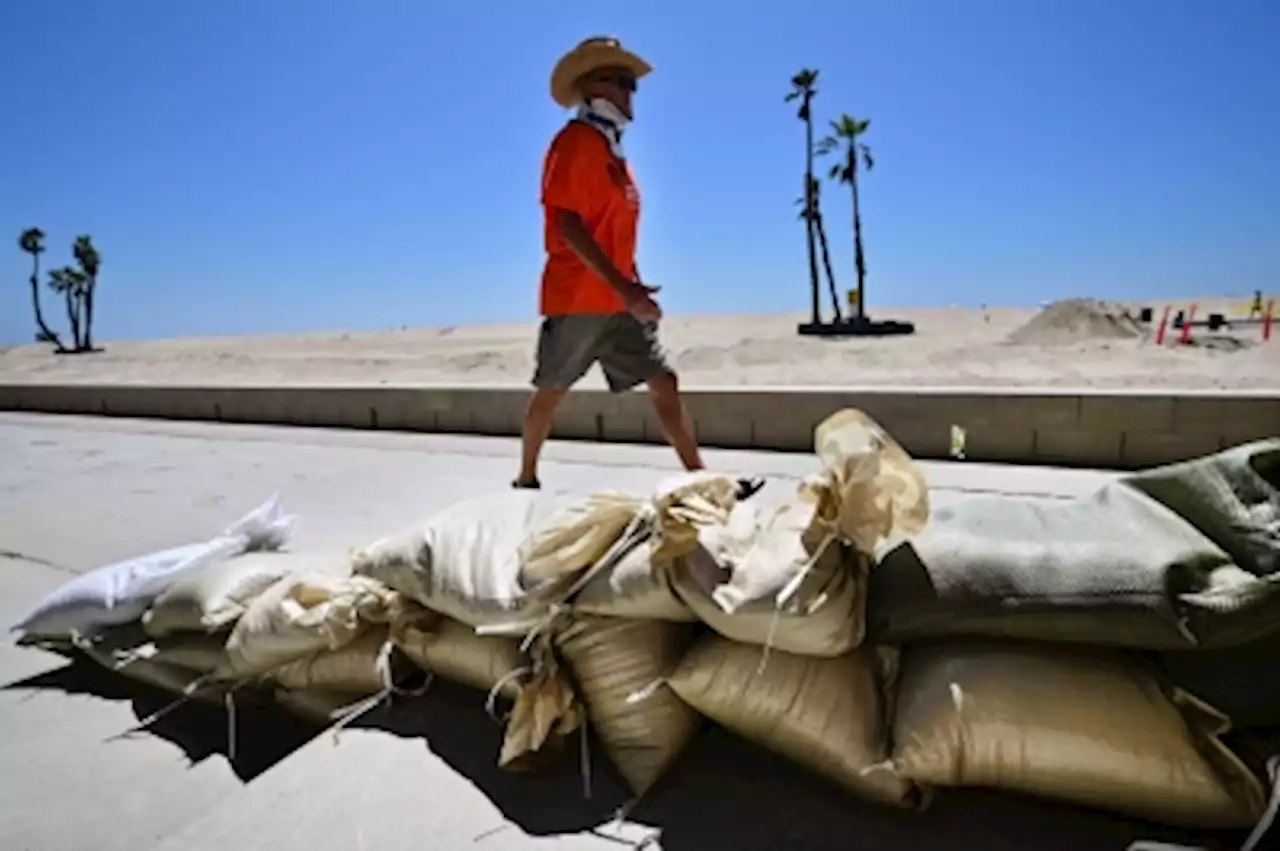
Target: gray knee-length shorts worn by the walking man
[{"x": 628, "y": 351}]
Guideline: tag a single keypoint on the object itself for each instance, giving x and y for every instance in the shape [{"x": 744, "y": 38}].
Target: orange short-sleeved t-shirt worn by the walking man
[{"x": 582, "y": 175}]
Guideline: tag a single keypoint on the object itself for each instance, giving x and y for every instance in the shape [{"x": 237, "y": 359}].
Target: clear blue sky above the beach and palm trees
[{"x": 262, "y": 166}]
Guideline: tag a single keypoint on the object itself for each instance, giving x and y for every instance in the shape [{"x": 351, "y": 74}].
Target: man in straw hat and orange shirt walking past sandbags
[{"x": 595, "y": 306}]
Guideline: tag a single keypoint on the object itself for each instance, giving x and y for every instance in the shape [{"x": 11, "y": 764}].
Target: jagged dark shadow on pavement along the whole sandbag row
[{"x": 724, "y": 794}]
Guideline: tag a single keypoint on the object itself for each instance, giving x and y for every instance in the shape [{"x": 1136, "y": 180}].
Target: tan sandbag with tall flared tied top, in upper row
[{"x": 796, "y": 580}]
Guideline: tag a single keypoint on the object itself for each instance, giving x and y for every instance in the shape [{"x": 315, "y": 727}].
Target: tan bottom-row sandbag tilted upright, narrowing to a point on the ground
[{"x": 620, "y": 667}]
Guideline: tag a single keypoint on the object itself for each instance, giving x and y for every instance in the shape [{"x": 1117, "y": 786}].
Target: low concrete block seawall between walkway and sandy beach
[{"x": 1063, "y": 428}]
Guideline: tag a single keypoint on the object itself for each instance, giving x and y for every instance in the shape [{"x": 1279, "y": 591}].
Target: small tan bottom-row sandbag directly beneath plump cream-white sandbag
[{"x": 455, "y": 652}]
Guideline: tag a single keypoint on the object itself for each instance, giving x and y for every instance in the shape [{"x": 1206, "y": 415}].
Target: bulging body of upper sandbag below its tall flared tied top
[{"x": 822, "y": 616}]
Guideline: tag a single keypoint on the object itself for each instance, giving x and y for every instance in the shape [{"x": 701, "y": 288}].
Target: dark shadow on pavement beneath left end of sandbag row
[{"x": 264, "y": 735}]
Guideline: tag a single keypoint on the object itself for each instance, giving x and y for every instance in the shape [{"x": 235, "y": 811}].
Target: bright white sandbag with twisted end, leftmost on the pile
[{"x": 121, "y": 593}]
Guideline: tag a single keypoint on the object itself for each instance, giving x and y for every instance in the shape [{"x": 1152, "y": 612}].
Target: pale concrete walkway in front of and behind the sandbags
[{"x": 76, "y": 493}]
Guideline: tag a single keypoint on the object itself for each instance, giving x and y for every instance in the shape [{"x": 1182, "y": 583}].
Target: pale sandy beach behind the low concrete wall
[{"x": 1071, "y": 344}]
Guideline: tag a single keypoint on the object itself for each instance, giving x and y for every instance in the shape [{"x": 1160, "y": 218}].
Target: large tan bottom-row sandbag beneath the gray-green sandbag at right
[{"x": 1089, "y": 728}]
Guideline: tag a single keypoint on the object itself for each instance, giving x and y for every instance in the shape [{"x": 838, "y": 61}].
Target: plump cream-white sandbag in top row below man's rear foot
[{"x": 464, "y": 562}]
